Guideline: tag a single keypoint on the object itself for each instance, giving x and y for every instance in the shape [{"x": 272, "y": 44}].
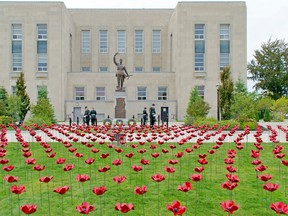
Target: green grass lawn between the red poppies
[{"x": 204, "y": 199}]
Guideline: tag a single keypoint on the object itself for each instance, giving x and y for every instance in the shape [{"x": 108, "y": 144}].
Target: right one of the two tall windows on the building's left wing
[{"x": 42, "y": 48}]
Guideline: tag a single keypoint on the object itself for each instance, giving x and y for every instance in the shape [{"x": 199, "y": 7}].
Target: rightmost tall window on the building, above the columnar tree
[{"x": 224, "y": 45}]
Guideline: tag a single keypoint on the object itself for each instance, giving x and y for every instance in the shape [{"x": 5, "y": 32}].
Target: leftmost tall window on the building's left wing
[{"x": 16, "y": 47}]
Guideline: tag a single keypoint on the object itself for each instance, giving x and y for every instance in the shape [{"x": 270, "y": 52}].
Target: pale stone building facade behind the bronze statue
[{"x": 167, "y": 51}]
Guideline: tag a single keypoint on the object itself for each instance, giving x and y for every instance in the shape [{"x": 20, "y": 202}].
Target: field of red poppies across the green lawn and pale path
[{"x": 137, "y": 170}]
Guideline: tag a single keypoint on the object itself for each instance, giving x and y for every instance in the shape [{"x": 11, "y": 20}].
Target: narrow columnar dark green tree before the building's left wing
[{"x": 23, "y": 97}]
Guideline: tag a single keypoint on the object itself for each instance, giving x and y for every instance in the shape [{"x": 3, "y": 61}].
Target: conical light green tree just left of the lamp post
[{"x": 197, "y": 107}]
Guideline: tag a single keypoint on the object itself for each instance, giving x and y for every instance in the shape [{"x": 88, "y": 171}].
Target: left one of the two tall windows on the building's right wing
[{"x": 199, "y": 37}]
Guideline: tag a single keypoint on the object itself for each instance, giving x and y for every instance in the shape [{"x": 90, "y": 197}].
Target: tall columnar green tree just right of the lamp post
[{"x": 226, "y": 93}]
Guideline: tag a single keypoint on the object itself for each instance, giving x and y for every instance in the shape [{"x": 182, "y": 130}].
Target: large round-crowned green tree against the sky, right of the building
[{"x": 269, "y": 69}]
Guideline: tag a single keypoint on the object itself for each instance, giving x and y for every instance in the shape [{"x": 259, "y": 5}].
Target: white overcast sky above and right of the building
[{"x": 265, "y": 18}]
